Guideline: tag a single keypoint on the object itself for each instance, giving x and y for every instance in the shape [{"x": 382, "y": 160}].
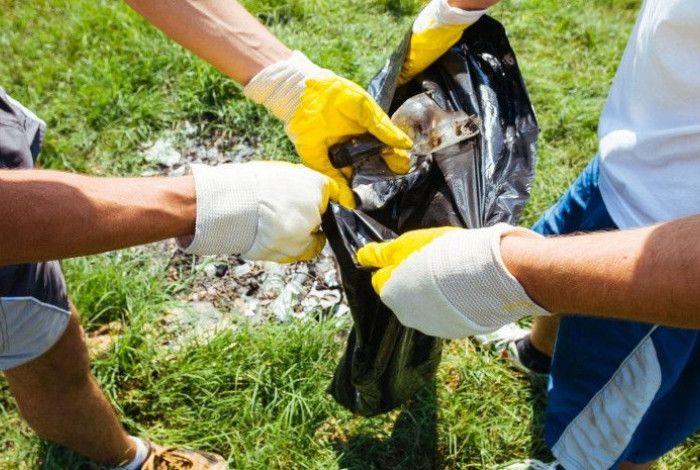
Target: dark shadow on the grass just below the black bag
[{"x": 412, "y": 443}]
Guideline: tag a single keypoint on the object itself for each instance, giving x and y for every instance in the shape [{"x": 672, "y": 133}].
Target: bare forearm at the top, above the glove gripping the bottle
[{"x": 221, "y": 32}]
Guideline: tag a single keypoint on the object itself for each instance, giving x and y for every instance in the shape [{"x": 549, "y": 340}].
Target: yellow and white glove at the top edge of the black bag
[{"x": 436, "y": 28}]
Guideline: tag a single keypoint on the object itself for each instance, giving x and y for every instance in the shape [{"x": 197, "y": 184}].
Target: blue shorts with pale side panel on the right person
[{"x": 618, "y": 390}]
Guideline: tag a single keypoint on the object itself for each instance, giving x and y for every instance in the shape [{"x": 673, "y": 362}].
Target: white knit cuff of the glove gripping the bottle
[{"x": 279, "y": 86}]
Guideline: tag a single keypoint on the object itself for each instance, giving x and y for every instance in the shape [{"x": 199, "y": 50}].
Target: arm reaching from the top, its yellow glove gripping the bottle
[{"x": 318, "y": 108}]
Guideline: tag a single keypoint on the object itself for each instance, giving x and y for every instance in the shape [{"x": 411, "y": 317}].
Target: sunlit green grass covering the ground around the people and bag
[{"x": 106, "y": 82}]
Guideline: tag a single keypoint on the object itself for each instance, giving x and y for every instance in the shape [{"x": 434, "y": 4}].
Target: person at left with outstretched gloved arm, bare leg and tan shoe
[{"x": 263, "y": 210}]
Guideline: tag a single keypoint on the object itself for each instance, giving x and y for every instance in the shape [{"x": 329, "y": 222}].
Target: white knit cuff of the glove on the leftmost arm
[{"x": 227, "y": 210}]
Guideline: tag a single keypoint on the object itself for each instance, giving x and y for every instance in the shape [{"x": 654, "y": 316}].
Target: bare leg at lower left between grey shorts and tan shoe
[{"x": 59, "y": 397}]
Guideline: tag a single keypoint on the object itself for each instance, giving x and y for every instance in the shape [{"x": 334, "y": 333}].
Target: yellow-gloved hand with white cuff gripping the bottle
[{"x": 320, "y": 109}]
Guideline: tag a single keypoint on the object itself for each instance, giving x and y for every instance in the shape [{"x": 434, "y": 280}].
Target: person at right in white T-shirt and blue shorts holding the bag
[{"x": 622, "y": 389}]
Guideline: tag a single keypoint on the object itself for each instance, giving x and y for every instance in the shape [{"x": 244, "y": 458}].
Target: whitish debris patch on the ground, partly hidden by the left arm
[{"x": 225, "y": 287}]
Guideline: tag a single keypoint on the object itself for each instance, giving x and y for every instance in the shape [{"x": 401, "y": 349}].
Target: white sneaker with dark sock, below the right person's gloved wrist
[{"x": 513, "y": 344}]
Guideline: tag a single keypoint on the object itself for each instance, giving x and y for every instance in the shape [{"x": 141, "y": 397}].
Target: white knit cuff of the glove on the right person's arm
[{"x": 460, "y": 262}]
